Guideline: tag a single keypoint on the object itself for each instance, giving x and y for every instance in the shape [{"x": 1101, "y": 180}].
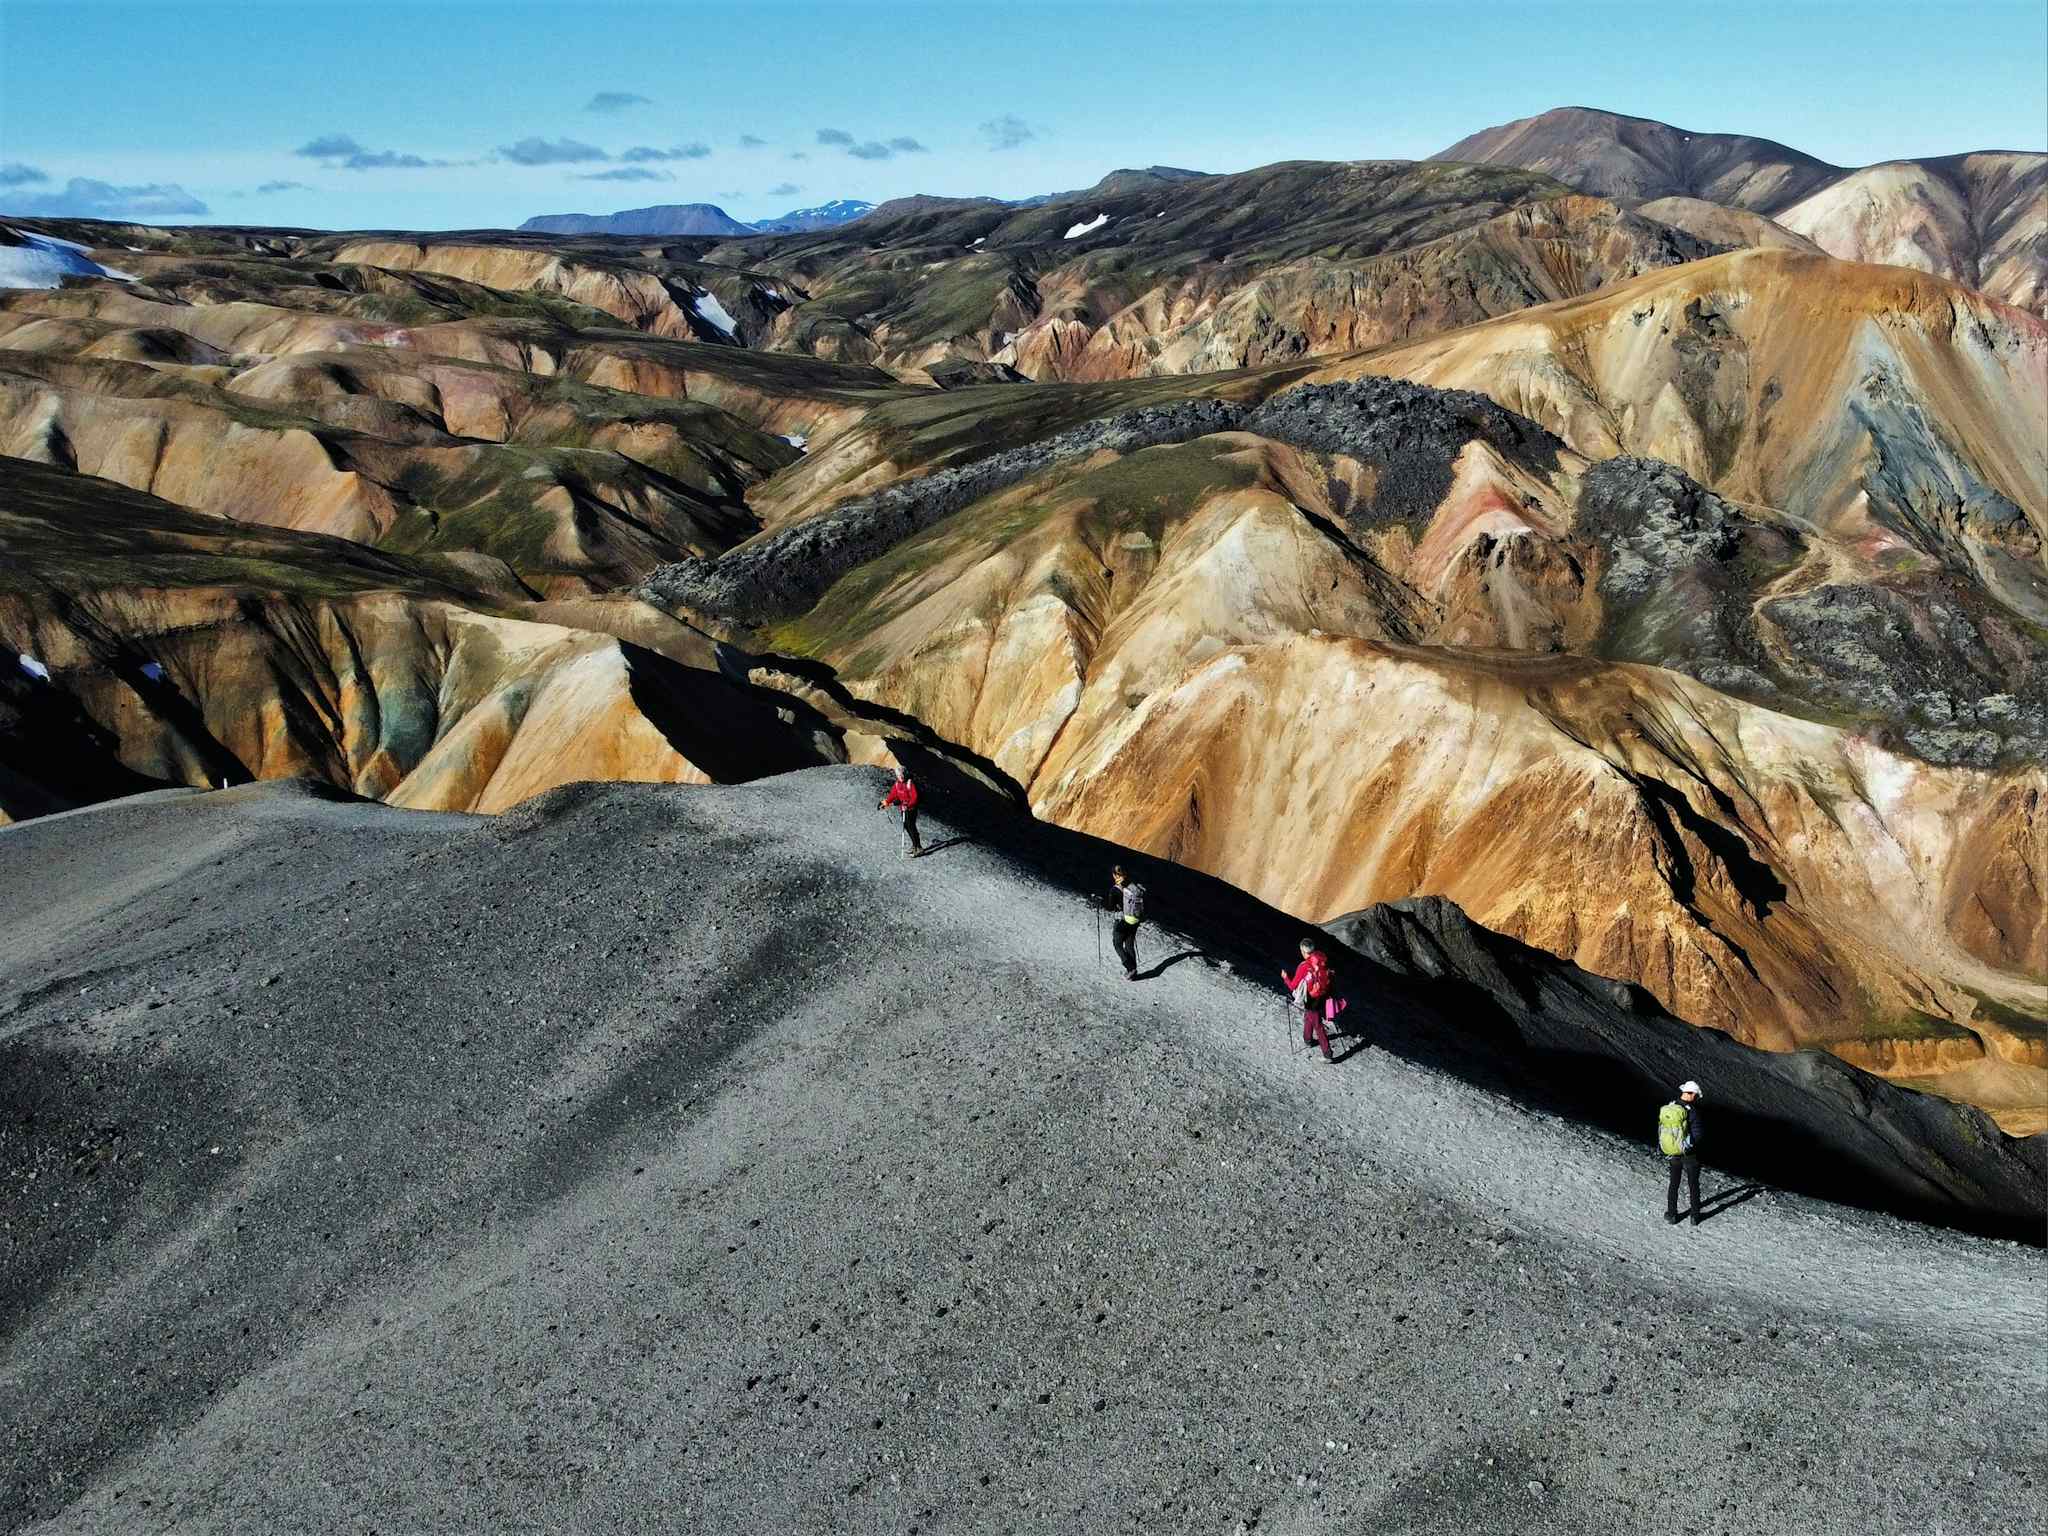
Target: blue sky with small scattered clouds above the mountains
[{"x": 486, "y": 112}]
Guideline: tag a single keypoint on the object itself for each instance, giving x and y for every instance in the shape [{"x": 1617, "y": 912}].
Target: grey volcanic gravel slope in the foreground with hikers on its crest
[{"x": 687, "y": 1160}]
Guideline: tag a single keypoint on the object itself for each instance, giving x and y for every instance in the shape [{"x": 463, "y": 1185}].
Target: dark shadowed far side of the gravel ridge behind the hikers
[{"x": 1443, "y": 992}]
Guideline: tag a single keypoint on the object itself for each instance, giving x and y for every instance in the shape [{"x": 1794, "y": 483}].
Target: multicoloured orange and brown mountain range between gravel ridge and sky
[{"x": 1695, "y": 636}]
